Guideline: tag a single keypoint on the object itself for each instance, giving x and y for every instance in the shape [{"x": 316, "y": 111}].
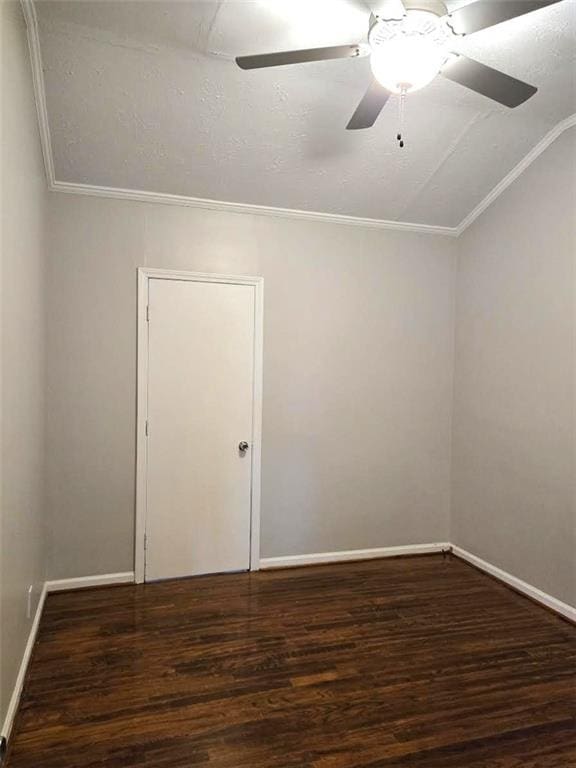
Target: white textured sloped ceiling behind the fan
[{"x": 145, "y": 95}]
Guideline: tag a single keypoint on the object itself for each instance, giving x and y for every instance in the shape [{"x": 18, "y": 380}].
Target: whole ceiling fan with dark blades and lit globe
[{"x": 409, "y": 43}]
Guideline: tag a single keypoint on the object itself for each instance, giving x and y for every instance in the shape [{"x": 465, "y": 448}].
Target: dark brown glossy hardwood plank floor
[{"x": 414, "y": 662}]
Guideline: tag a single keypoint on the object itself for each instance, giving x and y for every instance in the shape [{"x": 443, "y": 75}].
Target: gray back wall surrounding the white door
[{"x": 357, "y": 375}]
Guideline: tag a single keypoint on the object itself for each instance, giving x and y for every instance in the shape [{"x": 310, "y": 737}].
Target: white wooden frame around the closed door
[{"x": 144, "y": 276}]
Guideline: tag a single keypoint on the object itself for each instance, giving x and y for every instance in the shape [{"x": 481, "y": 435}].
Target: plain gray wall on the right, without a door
[{"x": 513, "y": 472}]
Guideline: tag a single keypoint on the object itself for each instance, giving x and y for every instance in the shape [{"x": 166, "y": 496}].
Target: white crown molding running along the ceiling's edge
[{"x": 231, "y": 207}]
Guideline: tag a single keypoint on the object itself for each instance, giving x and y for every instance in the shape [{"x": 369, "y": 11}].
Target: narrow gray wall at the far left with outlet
[{"x": 21, "y": 351}]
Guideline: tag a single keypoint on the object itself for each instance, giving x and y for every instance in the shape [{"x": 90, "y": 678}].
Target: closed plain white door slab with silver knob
[{"x": 200, "y": 409}]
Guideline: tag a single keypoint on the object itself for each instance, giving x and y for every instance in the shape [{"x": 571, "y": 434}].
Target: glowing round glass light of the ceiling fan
[{"x": 407, "y": 54}]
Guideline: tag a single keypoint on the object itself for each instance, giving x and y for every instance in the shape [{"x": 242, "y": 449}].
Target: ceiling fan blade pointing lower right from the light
[{"x": 489, "y": 82}]
